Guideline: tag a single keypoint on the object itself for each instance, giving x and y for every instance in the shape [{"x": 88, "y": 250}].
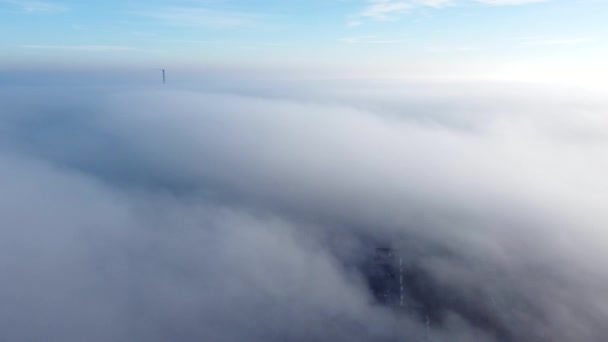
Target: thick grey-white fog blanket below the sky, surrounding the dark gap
[{"x": 243, "y": 210}]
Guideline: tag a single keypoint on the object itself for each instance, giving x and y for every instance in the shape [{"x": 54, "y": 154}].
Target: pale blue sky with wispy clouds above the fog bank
[{"x": 494, "y": 38}]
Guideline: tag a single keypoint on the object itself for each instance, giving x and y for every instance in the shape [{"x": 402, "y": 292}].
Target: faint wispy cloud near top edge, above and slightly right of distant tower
[{"x": 200, "y": 17}]
